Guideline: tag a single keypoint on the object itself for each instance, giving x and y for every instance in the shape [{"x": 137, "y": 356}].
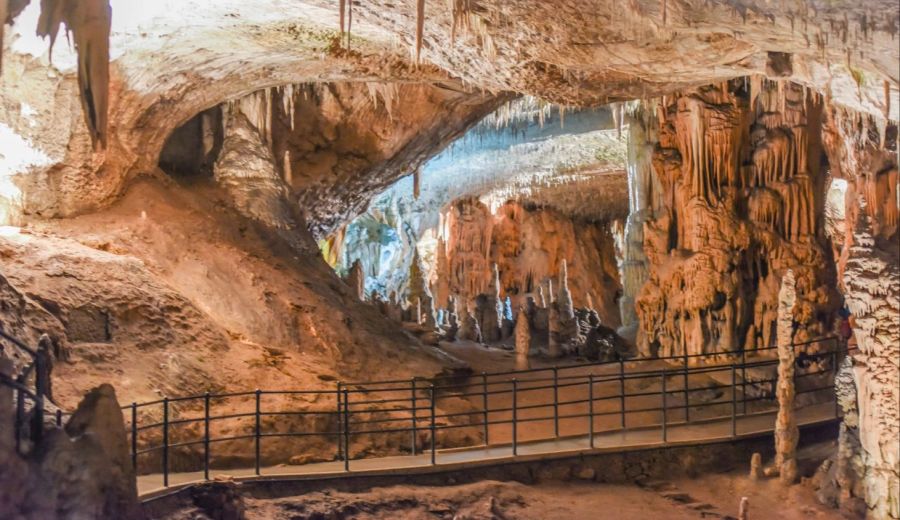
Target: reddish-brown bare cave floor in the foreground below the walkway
[{"x": 705, "y": 496}]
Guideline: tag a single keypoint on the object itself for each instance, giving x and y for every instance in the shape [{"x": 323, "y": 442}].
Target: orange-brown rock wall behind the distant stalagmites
[{"x": 528, "y": 245}]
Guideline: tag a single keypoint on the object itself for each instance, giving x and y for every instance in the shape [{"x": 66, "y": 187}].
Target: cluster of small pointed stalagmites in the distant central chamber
[{"x": 546, "y": 323}]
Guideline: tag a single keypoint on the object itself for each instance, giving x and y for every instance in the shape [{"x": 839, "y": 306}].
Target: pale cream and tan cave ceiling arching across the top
[{"x": 162, "y": 72}]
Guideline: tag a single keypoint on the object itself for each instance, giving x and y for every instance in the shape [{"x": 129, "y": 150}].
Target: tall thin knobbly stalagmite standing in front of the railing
[{"x": 786, "y": 431}]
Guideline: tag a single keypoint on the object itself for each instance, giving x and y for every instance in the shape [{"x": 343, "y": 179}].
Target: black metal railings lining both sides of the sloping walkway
[{"x": 495, "y": 408}]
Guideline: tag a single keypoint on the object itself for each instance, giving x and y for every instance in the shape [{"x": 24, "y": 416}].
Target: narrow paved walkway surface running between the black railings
[{"x": 700, "y": 432}]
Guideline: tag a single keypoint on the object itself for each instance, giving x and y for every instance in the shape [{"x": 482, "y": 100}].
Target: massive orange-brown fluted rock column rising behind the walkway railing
[{"x": 743, "y": 188}]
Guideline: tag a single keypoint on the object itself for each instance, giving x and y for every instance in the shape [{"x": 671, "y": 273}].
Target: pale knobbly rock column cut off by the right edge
[{"x": 869, "y": 267}]
